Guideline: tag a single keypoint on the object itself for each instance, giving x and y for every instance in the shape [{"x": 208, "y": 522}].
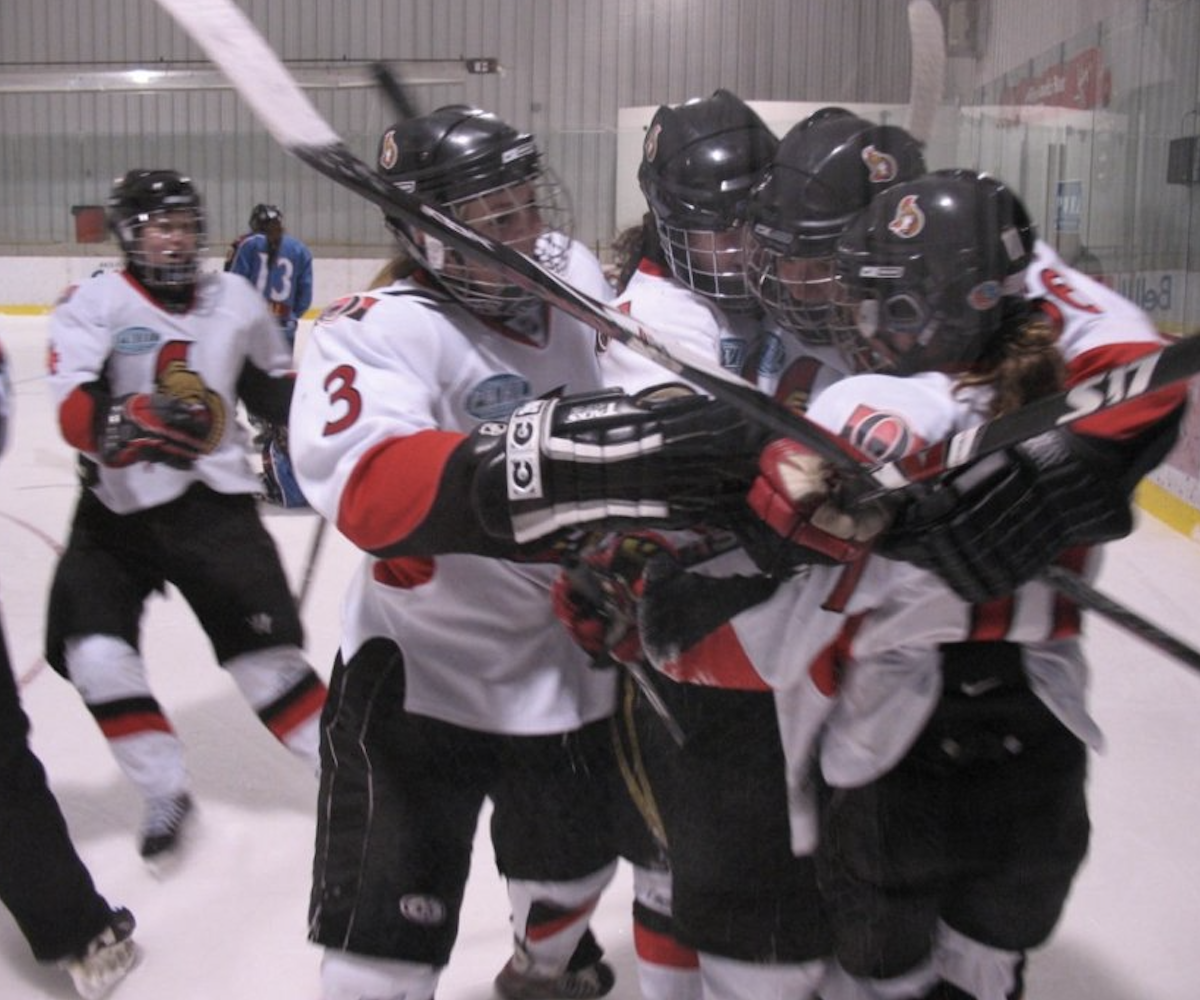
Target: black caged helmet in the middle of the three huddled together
[{"x": 826, "y": 170}]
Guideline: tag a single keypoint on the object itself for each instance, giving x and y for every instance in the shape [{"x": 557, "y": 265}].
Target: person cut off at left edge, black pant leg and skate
[{"x": 44, "y": 882}]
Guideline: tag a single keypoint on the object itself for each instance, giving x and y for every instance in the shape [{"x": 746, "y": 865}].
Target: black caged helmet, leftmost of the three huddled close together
[{"x": 700, "y": 160}]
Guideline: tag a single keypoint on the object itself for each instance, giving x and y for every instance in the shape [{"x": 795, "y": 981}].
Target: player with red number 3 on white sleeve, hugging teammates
[{"x": 454, "y": 684}]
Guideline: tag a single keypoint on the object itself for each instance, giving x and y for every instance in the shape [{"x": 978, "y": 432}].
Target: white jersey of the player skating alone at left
[{"x": 109, "y": 330}]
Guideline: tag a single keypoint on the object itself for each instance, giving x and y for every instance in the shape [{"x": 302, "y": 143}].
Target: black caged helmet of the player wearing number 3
[{"x": 483, "y": 171}]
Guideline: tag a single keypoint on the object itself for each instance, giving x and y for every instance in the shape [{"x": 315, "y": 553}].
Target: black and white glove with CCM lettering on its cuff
[{"x": 609, "y": 460}]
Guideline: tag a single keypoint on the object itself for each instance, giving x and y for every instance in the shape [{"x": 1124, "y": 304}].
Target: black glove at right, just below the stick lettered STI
[{"x": 1000, "y": 522}]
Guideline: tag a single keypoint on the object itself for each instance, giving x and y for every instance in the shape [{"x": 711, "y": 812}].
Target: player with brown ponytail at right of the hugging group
[{"x": 951, "y": 736}]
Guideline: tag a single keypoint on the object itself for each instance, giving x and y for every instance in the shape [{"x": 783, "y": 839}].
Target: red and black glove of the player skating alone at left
[{"x": 154, "y": 428}]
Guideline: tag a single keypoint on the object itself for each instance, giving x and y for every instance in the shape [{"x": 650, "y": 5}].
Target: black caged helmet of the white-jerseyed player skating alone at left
[{"x": 136, "y": 200}]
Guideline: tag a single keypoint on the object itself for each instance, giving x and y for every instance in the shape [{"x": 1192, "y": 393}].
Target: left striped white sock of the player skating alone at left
[{"x": 112, "y": 679}]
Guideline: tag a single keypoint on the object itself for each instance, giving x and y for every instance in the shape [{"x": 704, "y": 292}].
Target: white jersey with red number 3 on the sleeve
[{"x": 391, "y": 381}]
